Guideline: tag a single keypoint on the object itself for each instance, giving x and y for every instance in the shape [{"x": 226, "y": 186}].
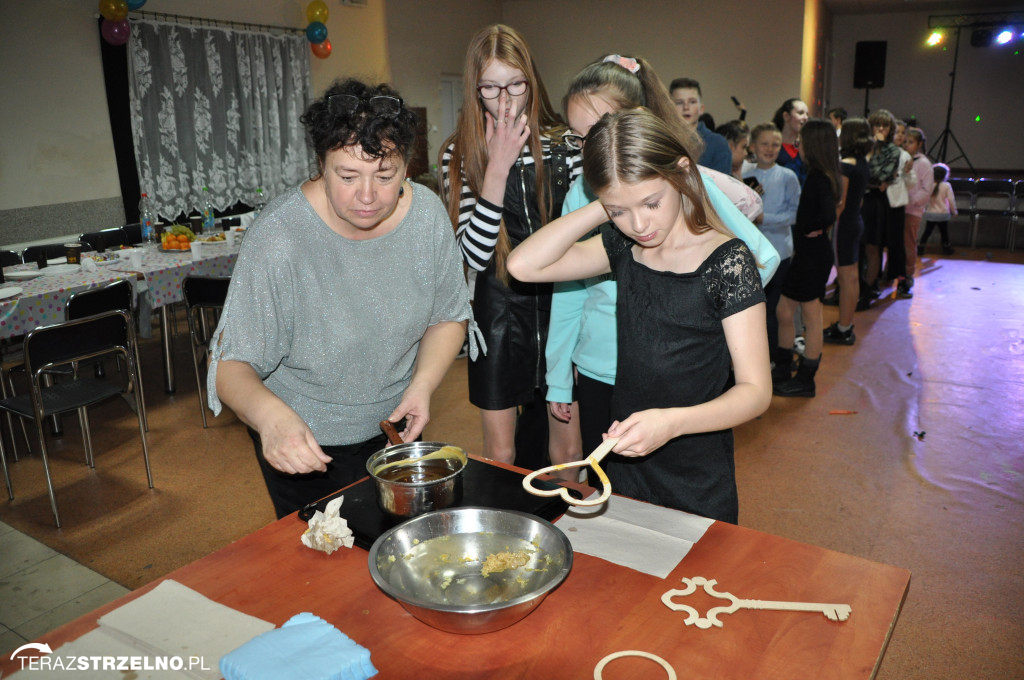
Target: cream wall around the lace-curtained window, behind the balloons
[{"x": 58, "y": 173}]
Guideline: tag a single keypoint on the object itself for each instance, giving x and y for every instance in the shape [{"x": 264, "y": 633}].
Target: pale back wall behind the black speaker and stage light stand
[{"x": 989, "y": 84}]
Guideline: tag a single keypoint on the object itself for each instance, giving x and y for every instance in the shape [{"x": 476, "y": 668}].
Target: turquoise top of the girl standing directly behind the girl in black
[{"x": 582, "y": 331}]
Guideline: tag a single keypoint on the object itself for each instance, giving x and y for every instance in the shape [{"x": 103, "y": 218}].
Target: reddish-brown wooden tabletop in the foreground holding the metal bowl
[{"x": 600, "y": 610}]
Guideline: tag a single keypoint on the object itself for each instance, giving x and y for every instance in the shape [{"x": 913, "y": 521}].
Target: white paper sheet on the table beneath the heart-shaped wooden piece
[{"x": 641, "y": 536}]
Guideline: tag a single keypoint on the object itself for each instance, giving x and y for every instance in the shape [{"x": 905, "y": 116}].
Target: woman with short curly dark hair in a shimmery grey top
[{"x": 348, "y": 305}]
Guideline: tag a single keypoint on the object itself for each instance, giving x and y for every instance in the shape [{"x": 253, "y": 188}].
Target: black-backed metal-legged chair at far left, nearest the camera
[{"x": 50, "y": 348}]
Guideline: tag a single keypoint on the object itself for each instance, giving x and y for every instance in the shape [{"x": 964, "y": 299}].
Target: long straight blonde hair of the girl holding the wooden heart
[{"x": 635, "y": 146}]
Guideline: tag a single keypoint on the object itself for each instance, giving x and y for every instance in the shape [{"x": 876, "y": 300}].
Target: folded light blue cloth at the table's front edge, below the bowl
[{"x": 307, "y": 648}]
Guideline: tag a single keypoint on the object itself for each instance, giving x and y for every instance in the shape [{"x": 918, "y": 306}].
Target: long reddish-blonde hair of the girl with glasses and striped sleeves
[{"x": 470, "y": 142}]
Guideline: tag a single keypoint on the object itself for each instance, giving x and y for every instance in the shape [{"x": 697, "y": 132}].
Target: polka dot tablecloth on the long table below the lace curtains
[{"x": 42, "y": 300}]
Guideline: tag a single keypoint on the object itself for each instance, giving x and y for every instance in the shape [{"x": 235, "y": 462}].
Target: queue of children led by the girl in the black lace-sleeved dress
[{"x": 626, "y": 284}]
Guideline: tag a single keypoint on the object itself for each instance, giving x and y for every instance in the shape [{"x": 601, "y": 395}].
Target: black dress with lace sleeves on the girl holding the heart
[{"x": 672, "y": 353}]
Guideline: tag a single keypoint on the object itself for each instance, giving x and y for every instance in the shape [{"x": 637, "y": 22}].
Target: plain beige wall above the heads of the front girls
[{"x": 738, "y": 58}]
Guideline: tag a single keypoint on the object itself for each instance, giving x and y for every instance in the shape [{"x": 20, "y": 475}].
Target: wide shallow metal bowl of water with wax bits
[{"x": 433, "y": 566}]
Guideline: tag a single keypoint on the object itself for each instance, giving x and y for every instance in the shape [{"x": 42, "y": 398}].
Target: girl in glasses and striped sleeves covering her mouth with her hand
[{"x": 497, "y": 195}]
